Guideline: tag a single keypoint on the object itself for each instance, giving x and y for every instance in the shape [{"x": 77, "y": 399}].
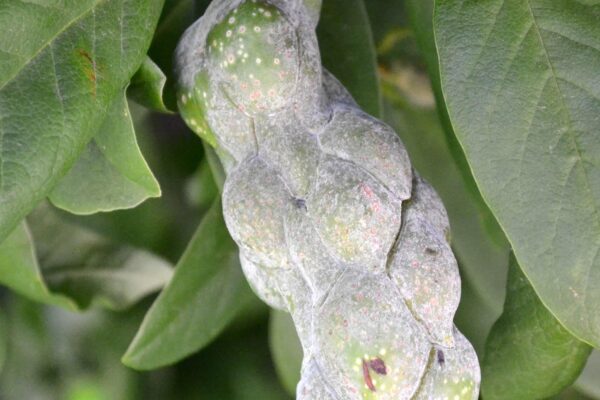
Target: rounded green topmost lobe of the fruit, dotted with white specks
[{"x": 254, "y": 49}]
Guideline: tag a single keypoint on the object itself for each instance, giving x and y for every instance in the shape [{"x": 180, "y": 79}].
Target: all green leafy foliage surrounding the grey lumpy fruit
[{"x": 496, "y": 102}]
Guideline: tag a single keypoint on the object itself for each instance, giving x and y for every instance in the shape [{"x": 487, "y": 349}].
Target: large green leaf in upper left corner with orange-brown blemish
[{"x": 63, "y": 63}]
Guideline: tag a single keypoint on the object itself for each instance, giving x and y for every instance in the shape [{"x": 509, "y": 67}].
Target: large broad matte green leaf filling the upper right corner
[{"x": 522, "y": 90}]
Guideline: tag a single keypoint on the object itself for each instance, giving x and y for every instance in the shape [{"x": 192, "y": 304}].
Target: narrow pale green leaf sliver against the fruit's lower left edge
[{"x": 286, "y": 350}]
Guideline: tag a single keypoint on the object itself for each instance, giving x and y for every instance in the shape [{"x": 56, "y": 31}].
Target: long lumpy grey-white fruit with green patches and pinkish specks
[{"x": 332, "y": 224}]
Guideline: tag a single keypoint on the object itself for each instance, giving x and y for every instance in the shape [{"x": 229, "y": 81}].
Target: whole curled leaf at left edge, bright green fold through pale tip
[{"x": 56, "y": 262}]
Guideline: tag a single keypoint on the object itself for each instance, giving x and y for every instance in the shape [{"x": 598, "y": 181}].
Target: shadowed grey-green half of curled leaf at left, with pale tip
[{"x": 91, "y": 269}]
